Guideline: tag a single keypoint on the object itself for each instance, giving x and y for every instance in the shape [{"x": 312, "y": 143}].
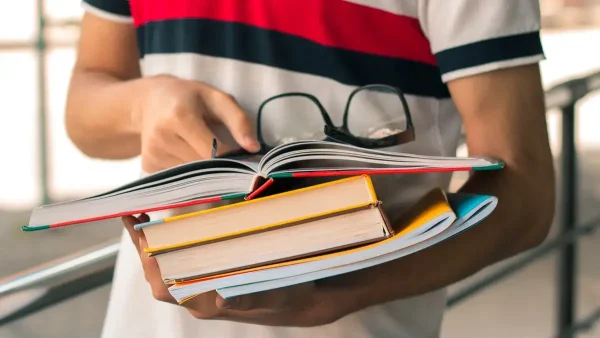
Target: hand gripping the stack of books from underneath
[{"x": 299, "y": 305}]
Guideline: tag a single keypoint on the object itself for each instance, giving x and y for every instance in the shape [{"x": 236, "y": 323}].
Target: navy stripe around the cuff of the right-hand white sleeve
[{"x": 487, "y": 51}]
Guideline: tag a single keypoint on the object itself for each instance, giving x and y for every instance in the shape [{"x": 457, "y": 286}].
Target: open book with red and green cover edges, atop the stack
[{"x": 219, "y": 179}]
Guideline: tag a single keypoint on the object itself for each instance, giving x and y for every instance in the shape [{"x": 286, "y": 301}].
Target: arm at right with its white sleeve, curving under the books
[{"x": 488, "y": 56}]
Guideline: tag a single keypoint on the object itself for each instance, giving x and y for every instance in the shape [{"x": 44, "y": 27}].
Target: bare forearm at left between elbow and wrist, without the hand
[{"x": 98, "y": 115}]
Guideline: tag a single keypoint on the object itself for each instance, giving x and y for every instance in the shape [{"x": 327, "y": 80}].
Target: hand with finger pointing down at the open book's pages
[{"x": 174, "y": 118}]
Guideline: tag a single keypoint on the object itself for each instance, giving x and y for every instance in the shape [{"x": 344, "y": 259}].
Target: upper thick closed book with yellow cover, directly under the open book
[{"x": 264, "y": 214}]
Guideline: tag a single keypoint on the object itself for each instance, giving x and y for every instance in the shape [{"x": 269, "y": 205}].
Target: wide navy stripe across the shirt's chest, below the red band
[{"x": 275, "y": 49}]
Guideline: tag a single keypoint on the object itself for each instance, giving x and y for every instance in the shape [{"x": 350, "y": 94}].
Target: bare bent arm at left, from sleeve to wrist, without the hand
[{"x": 103, "y": 83}]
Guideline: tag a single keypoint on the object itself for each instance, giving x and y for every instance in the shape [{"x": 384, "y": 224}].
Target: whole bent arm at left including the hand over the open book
[{"x": 114, "y": 113}]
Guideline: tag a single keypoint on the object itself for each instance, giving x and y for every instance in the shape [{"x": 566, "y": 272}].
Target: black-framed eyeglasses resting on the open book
[{"x": 375, "y": 116}]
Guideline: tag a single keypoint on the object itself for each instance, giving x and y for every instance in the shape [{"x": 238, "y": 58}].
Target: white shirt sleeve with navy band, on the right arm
[{"x": 471, "y": 37}]
